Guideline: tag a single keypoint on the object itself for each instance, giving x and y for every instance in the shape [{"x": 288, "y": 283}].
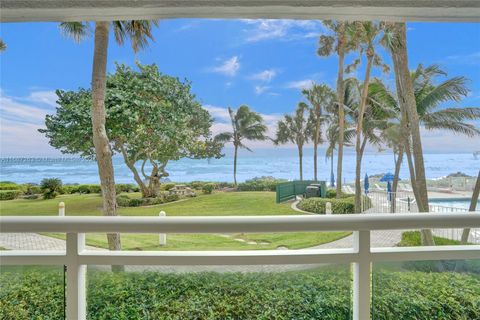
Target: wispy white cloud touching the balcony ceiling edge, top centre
[{"x": 281, "y": 29}]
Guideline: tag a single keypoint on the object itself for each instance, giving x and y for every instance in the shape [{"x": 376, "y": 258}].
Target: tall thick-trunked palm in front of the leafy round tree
[{"x": 139, "y": 33}]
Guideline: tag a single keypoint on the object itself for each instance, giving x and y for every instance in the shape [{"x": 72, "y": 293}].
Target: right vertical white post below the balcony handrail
[{"x": 361, "y": 276}]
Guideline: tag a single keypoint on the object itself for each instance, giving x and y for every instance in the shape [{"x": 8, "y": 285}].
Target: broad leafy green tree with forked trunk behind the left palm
[{"x": 151, "y": 119}]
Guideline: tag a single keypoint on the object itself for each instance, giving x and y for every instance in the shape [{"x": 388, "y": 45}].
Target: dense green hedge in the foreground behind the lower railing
[{"x": 304, "y": 295}]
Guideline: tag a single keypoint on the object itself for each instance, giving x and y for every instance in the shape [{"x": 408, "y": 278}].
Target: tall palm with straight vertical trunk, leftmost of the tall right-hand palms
[{"x": 337, "y": 42}]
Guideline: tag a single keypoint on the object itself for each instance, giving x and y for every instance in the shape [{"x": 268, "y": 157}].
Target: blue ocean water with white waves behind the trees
[{"x": 280, "y": 163}]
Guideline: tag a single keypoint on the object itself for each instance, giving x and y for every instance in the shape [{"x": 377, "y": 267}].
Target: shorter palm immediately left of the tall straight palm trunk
[{"x": 320, "y": 98}]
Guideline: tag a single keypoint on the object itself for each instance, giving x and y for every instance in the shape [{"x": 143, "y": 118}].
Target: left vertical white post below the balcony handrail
[{"x": 76, "y": 277}]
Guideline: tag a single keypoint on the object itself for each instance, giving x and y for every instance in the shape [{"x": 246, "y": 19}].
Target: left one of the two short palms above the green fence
[{"x": 296, "y": 129}]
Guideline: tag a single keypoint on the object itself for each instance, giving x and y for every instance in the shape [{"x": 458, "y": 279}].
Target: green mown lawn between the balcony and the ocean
[{"x": 217, "y": 204}]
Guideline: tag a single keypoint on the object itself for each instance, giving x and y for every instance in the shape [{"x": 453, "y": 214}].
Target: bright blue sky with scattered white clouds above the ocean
[{"x": 261, "y": 63}]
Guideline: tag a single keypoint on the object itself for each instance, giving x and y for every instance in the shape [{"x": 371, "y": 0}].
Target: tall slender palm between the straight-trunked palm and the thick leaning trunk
[{"x": 365, "y": 36}]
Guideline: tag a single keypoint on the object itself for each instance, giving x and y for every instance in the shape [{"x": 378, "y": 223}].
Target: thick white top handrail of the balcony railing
[{"x": 230, "y": 224}]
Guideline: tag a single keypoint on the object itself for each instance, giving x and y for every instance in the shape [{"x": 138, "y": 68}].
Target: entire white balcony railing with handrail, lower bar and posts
[{"x": 362, "y": 255}]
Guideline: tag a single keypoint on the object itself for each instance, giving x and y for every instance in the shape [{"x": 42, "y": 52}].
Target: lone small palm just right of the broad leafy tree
[{"x": 246, "y": 125}]
